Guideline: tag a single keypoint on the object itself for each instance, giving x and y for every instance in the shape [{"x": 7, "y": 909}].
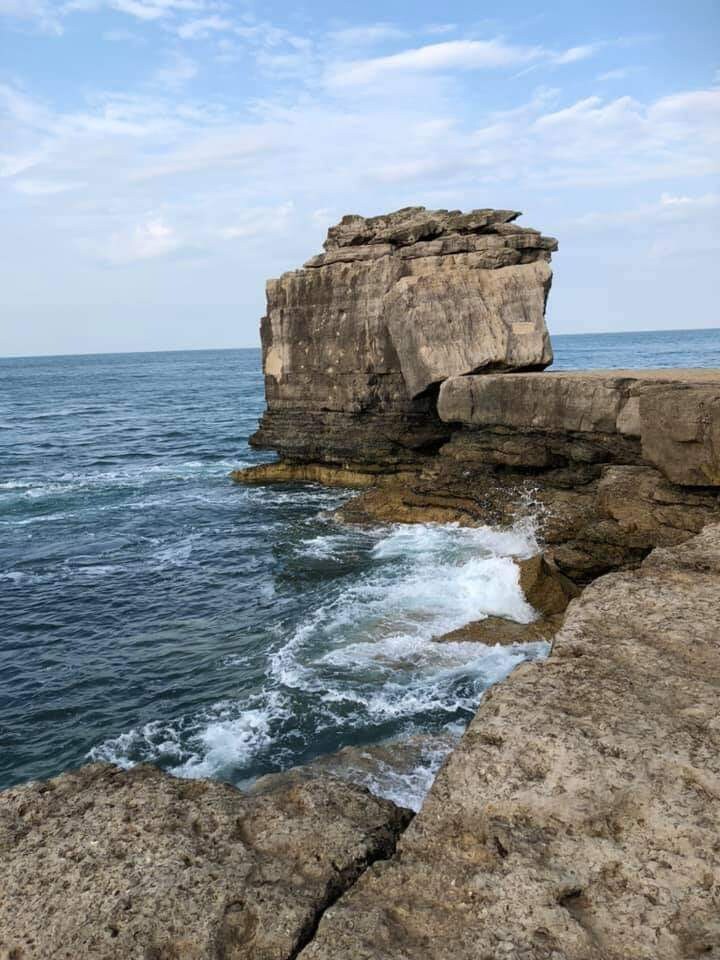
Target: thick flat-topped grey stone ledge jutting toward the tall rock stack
[{"x": 671, "y": 418}]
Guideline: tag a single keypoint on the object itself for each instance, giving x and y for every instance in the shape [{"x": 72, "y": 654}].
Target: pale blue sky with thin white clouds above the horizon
[{"x": 159, "y": 159}]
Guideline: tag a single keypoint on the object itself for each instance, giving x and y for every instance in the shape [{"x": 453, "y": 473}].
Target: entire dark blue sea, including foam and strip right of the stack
[{"x": 152, "y": 610}]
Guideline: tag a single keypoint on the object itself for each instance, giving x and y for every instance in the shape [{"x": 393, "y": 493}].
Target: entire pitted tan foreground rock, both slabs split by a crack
[{"x": 576, "y": 820}]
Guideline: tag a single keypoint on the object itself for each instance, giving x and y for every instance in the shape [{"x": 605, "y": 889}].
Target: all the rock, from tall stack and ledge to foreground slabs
[{"x": 579, "y": 815}]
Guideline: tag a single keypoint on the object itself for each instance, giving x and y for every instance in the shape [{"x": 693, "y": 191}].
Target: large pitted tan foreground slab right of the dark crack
[{"x": 578, "y": 818}]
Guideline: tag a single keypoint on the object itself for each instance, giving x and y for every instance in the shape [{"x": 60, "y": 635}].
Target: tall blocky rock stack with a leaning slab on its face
[{"x": 356, "y": 343}]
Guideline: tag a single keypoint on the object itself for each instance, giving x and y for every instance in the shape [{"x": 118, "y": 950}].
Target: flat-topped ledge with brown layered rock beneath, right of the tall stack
[{"x": 611, "y": 463}]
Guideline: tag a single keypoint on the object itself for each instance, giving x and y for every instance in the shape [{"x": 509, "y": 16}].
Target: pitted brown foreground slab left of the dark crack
[{"x": 102, "y": 863}]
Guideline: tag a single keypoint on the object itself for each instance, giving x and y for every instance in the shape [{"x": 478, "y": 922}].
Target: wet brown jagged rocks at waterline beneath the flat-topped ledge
[{"x": 592, "y": 517}]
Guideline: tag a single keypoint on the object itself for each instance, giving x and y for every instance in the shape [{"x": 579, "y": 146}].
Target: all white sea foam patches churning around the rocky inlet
[{"x": 366, "y": 658}]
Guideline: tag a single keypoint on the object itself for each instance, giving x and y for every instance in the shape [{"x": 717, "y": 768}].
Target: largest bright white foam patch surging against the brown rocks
[{"x": 433, "y": 579}]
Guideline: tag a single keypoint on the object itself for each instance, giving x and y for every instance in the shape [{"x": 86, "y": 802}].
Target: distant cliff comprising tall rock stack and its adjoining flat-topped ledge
[{"x": 398, "y": 360}]
